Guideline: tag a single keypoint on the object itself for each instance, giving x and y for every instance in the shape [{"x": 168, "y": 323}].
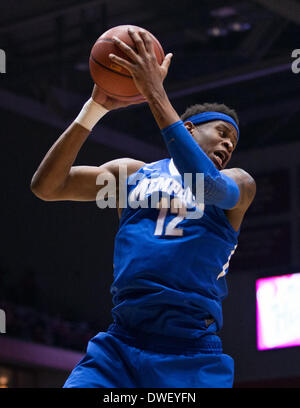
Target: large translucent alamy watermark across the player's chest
[{"x": 154, "y": 191}]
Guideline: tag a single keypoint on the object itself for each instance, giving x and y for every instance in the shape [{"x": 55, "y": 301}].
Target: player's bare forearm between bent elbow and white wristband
[{"x": 55, "y": 167}]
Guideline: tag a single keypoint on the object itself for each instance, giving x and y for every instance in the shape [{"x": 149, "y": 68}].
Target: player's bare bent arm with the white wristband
[{"x": 57, "y": 179}]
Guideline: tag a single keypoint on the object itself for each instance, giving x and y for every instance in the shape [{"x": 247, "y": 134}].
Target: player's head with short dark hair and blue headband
[{"x": 214, "y": 127}]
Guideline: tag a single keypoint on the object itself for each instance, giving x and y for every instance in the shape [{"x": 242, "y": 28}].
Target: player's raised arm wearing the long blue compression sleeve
[{"x": 219, "y": 189}]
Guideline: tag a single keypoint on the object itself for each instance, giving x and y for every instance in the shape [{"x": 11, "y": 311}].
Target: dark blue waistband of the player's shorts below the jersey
[{"x": 207, "y": 343}]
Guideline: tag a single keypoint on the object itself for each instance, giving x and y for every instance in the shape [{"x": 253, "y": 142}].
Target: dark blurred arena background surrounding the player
[{"x": 56, "y": 258}]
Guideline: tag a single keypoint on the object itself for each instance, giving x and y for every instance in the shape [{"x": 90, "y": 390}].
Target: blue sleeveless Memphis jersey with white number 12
[{"x": 169, "y": 263}]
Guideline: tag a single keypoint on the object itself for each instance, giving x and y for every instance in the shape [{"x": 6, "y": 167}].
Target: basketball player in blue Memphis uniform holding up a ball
[{"x": 169, "y": 266}]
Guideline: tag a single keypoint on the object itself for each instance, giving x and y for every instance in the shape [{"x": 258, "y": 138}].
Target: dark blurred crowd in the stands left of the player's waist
[{"x": 27, "y": 323}]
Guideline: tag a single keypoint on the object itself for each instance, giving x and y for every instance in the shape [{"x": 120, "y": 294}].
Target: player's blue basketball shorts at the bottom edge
[{"x": 115, "y": 360}]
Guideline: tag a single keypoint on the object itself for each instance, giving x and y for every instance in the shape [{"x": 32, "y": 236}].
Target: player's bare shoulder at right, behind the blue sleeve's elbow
[{"x": 247, "y": 187}]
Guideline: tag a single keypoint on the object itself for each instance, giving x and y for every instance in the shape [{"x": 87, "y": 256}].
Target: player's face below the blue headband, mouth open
[{"x": 217, "y": 138}]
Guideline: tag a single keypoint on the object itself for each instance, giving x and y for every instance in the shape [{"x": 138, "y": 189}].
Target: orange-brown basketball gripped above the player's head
[{"x": 114, "y": 80}]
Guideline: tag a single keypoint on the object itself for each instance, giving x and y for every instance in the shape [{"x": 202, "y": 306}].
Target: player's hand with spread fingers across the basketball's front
[{"x": 148, "y": 75}]
